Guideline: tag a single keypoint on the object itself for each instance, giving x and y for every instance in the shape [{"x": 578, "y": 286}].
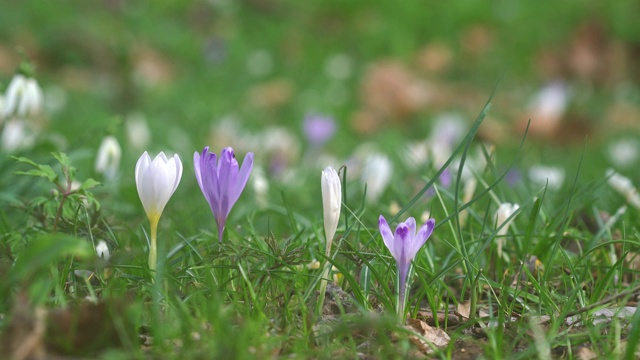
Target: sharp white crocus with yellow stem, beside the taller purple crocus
[{"x": 156, "y": 181}]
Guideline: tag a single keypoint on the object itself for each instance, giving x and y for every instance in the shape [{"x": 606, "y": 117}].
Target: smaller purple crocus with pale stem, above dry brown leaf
[{"x": 404, "y": 246}]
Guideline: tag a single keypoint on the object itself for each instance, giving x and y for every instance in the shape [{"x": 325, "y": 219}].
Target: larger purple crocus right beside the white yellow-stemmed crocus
[{"x": 221, "y": 181}]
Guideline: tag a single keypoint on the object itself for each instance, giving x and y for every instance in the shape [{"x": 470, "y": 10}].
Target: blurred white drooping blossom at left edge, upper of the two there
[{"x": 23, "y": 97}]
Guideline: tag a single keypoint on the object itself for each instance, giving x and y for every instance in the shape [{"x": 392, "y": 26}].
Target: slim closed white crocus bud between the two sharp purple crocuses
[{"x": 331, "y": 201}]
